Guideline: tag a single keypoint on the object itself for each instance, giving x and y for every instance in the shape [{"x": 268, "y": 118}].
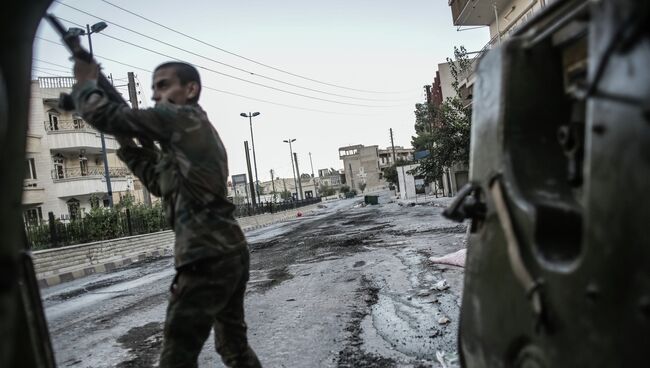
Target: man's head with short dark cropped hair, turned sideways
[{"x": 177, "y": 83}]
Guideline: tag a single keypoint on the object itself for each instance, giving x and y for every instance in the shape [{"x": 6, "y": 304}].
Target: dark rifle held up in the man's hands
[{"x": 72, "y": 42}]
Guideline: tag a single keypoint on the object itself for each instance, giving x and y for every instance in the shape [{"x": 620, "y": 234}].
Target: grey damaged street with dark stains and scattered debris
[{"x": 346, "y": 286}]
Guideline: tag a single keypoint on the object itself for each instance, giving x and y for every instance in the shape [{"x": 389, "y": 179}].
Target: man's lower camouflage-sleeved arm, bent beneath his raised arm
[{"x": 142, "y": 162}]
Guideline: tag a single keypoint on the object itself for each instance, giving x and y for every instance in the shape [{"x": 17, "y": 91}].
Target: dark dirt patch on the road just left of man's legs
[{"x": 144, "y": 342}]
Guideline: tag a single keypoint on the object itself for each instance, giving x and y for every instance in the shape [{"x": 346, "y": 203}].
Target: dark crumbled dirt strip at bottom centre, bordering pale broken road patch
[{"x": 353, "y": 354}]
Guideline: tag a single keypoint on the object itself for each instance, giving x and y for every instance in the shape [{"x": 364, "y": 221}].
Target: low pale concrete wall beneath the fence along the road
[{"x": 54, "y": 266}]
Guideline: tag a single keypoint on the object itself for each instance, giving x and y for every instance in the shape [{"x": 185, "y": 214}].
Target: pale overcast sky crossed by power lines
[{"x": 342, "y": 72}]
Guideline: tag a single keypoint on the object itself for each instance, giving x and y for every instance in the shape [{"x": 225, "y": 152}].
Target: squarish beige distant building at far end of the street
[{"x": 361, "y": 165}]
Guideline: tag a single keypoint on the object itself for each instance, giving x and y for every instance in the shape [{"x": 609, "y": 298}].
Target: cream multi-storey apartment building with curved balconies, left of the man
[{"x": 64, "y": 165}]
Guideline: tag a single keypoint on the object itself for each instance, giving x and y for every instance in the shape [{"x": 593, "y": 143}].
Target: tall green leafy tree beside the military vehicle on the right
[{"x": 445, "y": 131}]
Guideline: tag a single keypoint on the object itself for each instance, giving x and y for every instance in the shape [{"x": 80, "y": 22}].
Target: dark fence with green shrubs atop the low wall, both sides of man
[{"x": 112, "y": 224}]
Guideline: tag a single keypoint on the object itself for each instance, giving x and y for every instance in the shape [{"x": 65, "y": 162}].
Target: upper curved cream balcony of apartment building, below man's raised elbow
[{"x": 76, "y": 134}]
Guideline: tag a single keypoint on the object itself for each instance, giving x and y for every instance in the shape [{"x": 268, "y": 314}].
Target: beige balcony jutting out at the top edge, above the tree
[{"x": 475, "y": 12}]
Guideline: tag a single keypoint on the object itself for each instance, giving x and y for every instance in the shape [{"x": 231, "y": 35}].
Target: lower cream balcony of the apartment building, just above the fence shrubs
[{"x": 77, "y": 182}]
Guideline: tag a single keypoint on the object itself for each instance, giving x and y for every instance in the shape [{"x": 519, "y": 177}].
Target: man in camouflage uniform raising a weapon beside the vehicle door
[{"x": 189, "y": 172}]
